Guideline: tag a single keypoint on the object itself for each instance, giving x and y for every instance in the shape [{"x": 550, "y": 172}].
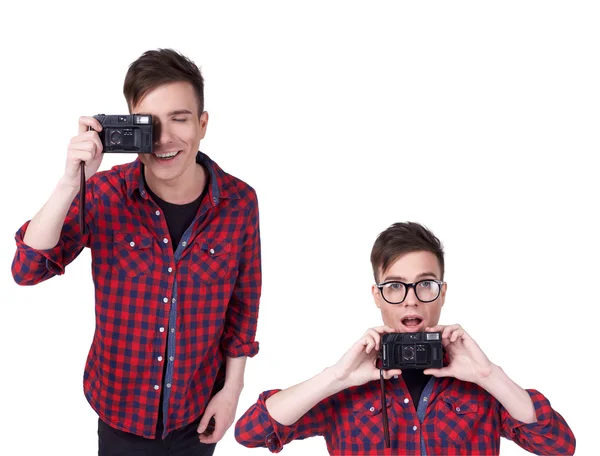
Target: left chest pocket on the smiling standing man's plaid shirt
[{"x": 133, "y": 252}]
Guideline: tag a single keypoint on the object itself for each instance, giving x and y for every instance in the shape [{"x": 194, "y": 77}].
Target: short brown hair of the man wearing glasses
[{"x": 401, "y": 238}]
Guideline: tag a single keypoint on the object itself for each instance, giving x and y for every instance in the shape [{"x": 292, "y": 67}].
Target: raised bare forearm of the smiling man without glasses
[{"x": 45, "y": 227}]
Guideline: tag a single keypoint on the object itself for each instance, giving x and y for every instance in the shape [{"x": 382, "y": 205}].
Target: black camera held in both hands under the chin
[{"x": 422, "y": 350}]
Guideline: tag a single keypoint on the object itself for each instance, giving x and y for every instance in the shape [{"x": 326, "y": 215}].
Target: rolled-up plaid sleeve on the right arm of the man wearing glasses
[{"x": 549, "y": 435}]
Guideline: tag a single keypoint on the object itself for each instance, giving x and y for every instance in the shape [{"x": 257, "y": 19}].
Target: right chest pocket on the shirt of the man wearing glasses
[{"x": 455, "y": 419}]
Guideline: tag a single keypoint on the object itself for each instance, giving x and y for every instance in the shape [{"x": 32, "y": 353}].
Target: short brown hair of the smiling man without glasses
[{"x": 158, "y": 67}]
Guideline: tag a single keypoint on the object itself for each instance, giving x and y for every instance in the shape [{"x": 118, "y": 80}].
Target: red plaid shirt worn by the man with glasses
[{"x": 452, "y": 418}]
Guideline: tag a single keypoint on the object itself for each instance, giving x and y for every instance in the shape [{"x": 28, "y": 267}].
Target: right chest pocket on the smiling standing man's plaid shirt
[{"x": 210, "y": 259}]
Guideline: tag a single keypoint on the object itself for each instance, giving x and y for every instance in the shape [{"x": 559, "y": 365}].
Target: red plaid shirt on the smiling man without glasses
[{"x": 199, "y": 302}]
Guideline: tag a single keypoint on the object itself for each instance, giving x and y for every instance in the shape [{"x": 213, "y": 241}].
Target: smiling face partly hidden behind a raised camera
[{"x": 179, "y": 129}]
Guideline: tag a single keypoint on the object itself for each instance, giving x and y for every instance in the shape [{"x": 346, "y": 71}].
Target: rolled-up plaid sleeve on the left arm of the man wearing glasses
[{"x": 256, "y": 428}]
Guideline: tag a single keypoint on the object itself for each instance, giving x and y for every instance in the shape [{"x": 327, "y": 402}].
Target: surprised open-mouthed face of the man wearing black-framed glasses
[{"x": 411, "y": 315}]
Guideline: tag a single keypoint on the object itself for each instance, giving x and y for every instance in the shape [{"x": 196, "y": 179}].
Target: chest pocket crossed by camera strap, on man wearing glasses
[{"x": 367, "y": 432}]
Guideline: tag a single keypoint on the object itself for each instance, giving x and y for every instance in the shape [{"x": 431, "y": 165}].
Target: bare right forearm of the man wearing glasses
[{"x": 513, "y": 398}]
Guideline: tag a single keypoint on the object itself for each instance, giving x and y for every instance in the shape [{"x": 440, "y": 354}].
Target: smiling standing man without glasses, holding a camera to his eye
[{"x": 176, "y": 265}]
